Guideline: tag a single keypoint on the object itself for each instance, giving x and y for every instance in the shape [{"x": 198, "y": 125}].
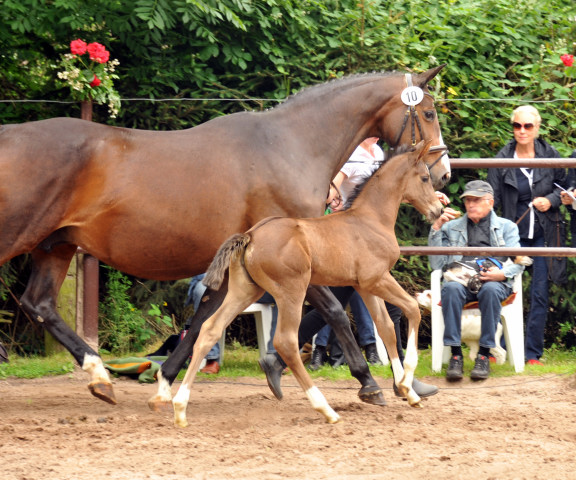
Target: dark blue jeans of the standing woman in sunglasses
[{"x": 536, "y": 320}]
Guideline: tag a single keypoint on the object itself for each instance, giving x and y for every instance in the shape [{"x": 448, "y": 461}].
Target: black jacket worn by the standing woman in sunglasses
[{"x": 503, "y": 181}]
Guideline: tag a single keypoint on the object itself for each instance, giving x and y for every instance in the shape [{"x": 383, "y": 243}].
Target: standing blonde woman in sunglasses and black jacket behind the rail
[{"x": 528, "y": 197}]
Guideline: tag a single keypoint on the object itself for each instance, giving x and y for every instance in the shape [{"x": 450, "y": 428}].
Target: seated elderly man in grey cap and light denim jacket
[{"x": 479, "y": 227}]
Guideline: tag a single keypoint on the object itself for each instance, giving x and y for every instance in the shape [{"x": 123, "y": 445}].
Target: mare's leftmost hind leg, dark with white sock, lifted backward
[{"x": 39, "y": 301}]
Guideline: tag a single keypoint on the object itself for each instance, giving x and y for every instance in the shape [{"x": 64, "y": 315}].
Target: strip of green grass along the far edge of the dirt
[{"x": 240, "y": 361}]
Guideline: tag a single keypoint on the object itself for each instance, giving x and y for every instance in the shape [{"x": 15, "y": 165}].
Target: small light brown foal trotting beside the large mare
[{"x": 356, "y": 247}]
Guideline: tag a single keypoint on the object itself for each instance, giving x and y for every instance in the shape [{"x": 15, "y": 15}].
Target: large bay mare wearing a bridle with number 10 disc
[{"x": 158, "y": 204}]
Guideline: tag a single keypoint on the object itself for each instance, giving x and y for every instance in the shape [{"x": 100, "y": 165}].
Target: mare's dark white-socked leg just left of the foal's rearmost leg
[{"x": 211, "y": 300}]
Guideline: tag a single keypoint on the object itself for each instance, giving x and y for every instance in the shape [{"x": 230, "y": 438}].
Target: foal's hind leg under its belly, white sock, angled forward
[{"x": 286, "y": 344}]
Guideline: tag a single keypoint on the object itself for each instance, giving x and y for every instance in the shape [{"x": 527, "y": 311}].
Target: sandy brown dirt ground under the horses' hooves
[{"x": 511, "y": 428}]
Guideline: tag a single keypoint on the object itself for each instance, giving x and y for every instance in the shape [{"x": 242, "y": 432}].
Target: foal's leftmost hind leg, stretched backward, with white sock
[{"x": 242, "y": 293}]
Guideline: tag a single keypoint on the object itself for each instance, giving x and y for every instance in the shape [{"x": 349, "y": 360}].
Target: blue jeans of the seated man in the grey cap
[{"x": 455, "y": 295}]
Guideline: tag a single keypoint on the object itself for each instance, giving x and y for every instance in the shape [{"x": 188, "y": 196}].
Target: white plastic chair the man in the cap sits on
[{"x": 512, "y": 320}]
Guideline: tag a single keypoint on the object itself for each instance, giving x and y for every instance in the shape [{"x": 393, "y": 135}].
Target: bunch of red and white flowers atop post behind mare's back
[{"x": 89, "y": 73}]
